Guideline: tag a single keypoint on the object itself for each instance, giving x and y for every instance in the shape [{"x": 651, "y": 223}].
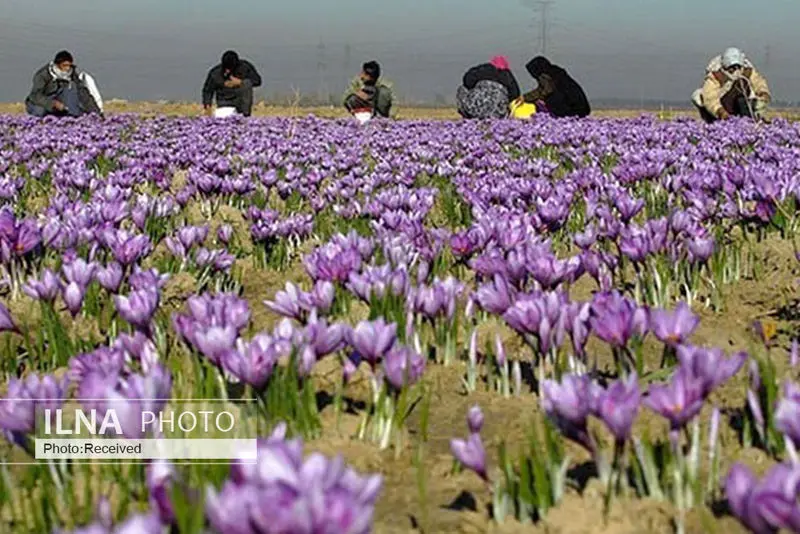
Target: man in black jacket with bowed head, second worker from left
[{"x": 231, "y": 83}]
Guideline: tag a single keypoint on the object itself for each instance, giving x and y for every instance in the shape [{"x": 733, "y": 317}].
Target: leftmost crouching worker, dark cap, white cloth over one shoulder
[{"x": 61, "y": 90}]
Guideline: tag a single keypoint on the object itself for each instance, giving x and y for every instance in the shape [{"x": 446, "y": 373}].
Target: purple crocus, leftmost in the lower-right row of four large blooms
[{"x": 568, "y": 404}]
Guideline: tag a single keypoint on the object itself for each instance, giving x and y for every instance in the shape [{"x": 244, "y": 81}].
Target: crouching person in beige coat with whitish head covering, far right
[{"x": 732, "y": 87}]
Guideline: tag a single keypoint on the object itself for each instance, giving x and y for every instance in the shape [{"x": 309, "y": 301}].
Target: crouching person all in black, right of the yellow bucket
[{"x": 558, "y": 93}]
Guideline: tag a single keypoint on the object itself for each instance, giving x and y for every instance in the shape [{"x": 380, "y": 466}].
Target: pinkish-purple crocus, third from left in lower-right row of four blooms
[{"x": 679, "y": 401}]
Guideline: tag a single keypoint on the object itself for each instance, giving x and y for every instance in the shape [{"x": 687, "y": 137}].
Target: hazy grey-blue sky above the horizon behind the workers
[{"x": 629, "y": 49}]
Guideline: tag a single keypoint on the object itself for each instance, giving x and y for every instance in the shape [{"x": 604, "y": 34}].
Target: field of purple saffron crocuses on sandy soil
[{"x": 443, "y": 326}]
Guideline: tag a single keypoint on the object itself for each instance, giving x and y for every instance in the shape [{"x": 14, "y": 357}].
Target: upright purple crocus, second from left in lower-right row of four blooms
[{"x": 618, "y": 406}]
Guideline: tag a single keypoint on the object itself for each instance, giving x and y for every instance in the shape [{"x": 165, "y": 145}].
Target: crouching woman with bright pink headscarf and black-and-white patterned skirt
[{"x": 487, "y": 90}]
